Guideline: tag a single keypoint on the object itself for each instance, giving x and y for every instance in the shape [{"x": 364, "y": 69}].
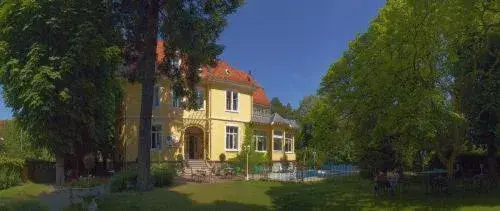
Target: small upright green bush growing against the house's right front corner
[{"x": 248, "y": 149}]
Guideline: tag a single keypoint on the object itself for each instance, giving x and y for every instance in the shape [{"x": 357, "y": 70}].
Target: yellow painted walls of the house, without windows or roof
[{"x": 175, "y": 120}]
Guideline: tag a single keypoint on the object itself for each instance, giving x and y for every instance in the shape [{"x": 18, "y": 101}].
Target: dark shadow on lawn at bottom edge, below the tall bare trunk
[{"x": 166, "y": 199}]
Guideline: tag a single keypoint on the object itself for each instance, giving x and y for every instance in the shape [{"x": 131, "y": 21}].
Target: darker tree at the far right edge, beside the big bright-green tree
[{"x": 476, "y": 71}]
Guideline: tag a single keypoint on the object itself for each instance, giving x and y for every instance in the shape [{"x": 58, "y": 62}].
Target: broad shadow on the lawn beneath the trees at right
[{"x": 356, "y": 194}]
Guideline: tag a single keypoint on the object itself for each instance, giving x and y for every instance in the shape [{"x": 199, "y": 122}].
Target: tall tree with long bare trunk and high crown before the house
[{"x": 190, "y": 30}]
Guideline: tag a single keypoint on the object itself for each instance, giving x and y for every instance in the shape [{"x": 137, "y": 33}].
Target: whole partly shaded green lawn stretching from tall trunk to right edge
[{"x": 352, "y": 194}]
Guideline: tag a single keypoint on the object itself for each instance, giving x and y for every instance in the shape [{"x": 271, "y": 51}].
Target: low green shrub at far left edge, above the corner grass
[{"x": 11, "y": 172}]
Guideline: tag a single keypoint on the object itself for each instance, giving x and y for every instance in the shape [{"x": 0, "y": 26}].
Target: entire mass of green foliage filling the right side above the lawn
[{"x": 412, "y": 76}]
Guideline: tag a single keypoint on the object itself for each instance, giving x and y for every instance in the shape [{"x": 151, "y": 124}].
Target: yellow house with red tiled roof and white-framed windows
[{"x": 228, "y": 99}]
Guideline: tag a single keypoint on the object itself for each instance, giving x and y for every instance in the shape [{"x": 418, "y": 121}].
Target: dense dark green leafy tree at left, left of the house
[{"x": 58, "y": 64}]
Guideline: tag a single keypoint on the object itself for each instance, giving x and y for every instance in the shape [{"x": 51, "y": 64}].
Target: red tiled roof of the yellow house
[{"x": 223, "y": 71}]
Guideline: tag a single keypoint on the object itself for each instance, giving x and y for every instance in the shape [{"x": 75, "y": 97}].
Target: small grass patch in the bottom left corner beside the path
[{"x": 23, "y": 197}]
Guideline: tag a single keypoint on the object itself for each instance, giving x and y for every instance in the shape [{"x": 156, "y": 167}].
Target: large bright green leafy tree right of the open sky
[{"x": 396, "y": 81}]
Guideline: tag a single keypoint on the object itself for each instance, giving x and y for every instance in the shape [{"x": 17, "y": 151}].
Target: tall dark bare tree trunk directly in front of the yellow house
[{"x": 144, "y": 178}]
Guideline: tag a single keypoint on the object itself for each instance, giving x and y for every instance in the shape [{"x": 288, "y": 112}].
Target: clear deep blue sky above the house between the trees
[{"x": 289, "y": 44}]
